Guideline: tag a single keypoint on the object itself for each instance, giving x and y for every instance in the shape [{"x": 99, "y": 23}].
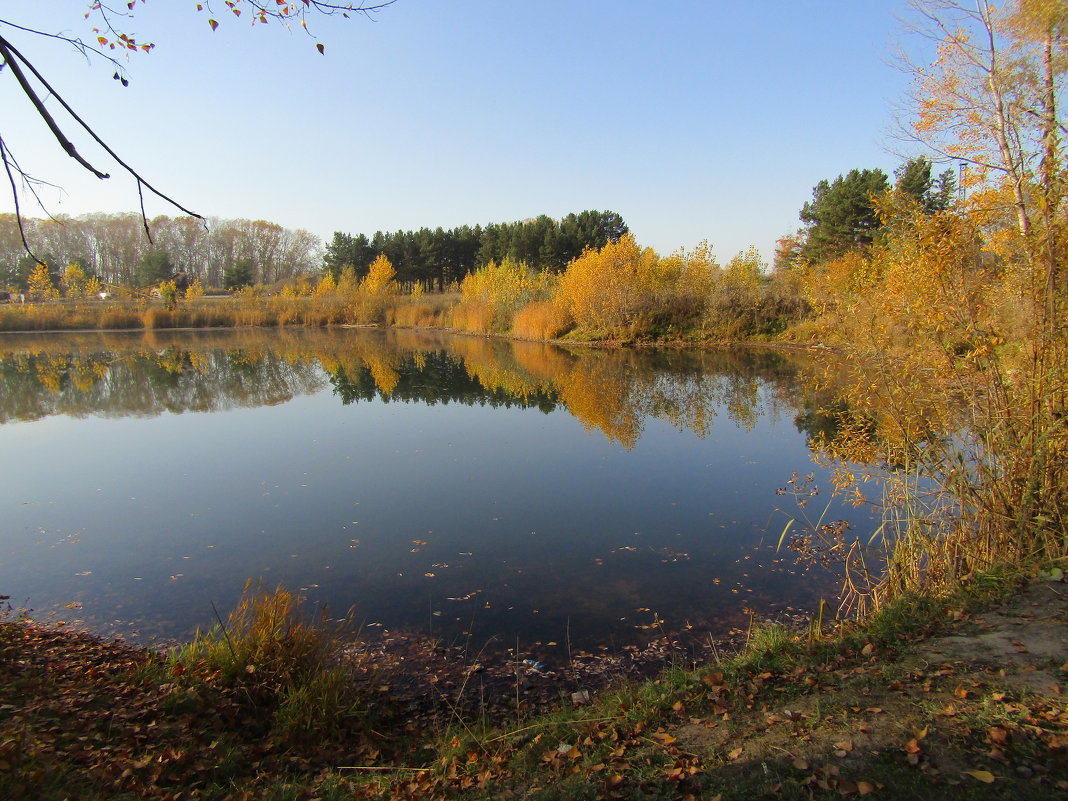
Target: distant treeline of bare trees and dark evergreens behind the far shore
[{"x": 232, "y": 254}]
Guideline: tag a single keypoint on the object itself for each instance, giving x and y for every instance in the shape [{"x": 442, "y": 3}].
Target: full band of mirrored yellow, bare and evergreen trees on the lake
[{"x": 612, "y": 391}]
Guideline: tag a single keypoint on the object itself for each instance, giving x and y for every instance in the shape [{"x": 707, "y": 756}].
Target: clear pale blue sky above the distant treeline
[{"x": 694, "y": 120}]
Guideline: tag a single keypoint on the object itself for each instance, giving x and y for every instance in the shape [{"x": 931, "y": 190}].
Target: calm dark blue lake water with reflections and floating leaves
[{"x": 447, "y": 485}]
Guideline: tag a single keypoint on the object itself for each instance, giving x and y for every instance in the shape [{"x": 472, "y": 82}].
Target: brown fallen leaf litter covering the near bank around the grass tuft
[{"x": 959, "y": 713}]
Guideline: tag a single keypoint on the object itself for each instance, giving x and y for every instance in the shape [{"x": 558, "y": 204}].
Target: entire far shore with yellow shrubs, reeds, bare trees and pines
[{"x": 583, "y": 277}]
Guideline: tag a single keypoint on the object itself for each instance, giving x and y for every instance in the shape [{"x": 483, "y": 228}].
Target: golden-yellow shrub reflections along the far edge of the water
[{"x": 609, "y": 391}]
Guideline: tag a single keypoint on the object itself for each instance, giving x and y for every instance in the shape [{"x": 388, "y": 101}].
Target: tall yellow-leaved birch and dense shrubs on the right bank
[{"x": 965, "y": 310}]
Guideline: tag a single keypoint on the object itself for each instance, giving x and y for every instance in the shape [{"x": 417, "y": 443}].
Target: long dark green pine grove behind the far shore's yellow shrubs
[{"x": 442, "y": 257}]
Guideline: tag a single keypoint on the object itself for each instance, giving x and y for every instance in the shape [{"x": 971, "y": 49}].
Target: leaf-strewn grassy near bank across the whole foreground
[{"x": 957, "y": 697}]
